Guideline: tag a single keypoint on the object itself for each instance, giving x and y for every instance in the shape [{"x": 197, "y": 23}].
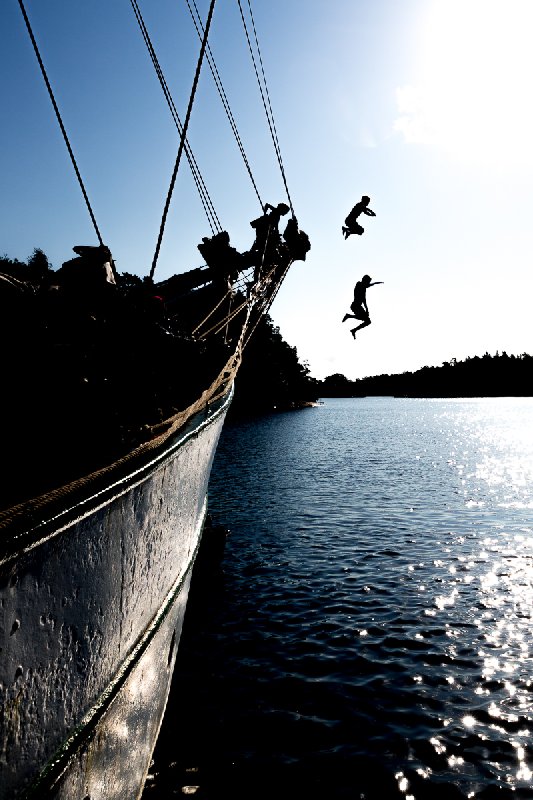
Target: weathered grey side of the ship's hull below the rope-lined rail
[{"x": 93, "y": 599}]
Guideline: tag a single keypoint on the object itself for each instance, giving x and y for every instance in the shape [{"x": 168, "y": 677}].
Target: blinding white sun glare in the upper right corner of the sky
[{"x": 473, "y": 94}]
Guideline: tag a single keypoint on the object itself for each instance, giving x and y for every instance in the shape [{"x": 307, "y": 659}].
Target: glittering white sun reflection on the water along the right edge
[{"x": 489, "y": 586}]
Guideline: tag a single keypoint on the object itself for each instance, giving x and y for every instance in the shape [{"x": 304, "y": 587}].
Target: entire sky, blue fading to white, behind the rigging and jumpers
[{"x": 424, "y": 105}]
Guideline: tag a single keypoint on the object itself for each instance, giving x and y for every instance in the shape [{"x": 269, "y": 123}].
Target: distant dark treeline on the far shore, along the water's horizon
[{"x": 500, "y": 375}]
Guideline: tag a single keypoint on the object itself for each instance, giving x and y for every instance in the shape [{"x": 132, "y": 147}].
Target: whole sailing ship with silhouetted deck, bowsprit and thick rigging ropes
[{"x": 116, "y": 390}]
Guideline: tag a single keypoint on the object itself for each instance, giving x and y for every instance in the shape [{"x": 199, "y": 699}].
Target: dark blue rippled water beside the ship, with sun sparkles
[{"x": 372, "y": 633}]
